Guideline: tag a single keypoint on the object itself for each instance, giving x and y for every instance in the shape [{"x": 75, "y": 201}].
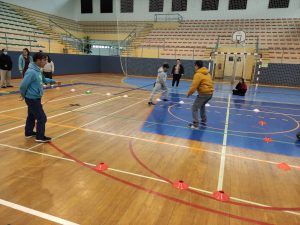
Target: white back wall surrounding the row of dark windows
[{"x": 255, "y": 9}]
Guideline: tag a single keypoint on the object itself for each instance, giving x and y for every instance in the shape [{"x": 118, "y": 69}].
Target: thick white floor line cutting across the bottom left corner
[{"x": 36, "y": 213}]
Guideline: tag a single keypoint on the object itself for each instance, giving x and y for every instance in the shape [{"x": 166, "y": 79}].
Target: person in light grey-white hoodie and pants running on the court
[{"x": 160, "y": 84}]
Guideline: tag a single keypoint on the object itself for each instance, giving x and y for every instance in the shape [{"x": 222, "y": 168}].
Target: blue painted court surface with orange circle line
[{"x": 271, "y": 129}]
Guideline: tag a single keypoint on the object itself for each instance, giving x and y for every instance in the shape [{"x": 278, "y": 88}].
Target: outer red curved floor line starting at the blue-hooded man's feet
[{"x": 177, "y": 200}]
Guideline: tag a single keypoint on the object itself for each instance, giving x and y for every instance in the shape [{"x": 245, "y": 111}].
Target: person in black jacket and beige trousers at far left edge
[{"x": 5, "y": 69}]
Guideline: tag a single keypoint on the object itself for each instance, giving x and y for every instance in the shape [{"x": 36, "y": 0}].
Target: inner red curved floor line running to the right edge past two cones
[{"x": 208, "y": 196}]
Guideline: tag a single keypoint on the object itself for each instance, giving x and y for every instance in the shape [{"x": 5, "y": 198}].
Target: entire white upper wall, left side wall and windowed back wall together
[{"x": 71, "y": 9}]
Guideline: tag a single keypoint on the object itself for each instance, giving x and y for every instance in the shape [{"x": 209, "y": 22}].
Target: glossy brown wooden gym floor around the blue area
[{"x": 43, "y": 184}]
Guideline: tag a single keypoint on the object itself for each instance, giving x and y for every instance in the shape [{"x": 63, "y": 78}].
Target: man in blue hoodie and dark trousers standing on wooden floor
[{"x": 31, "y": 89}]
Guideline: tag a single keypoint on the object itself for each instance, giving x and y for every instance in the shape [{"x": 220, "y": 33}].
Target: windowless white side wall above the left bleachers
[{"x": 63, "y": 8}]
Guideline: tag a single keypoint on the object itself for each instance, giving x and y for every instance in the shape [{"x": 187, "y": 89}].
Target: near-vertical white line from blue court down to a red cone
[{"x": 223, "y": 154}]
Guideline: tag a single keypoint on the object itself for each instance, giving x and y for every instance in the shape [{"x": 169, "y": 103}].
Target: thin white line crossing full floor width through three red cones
[{"x": 136, "y": 175}]
